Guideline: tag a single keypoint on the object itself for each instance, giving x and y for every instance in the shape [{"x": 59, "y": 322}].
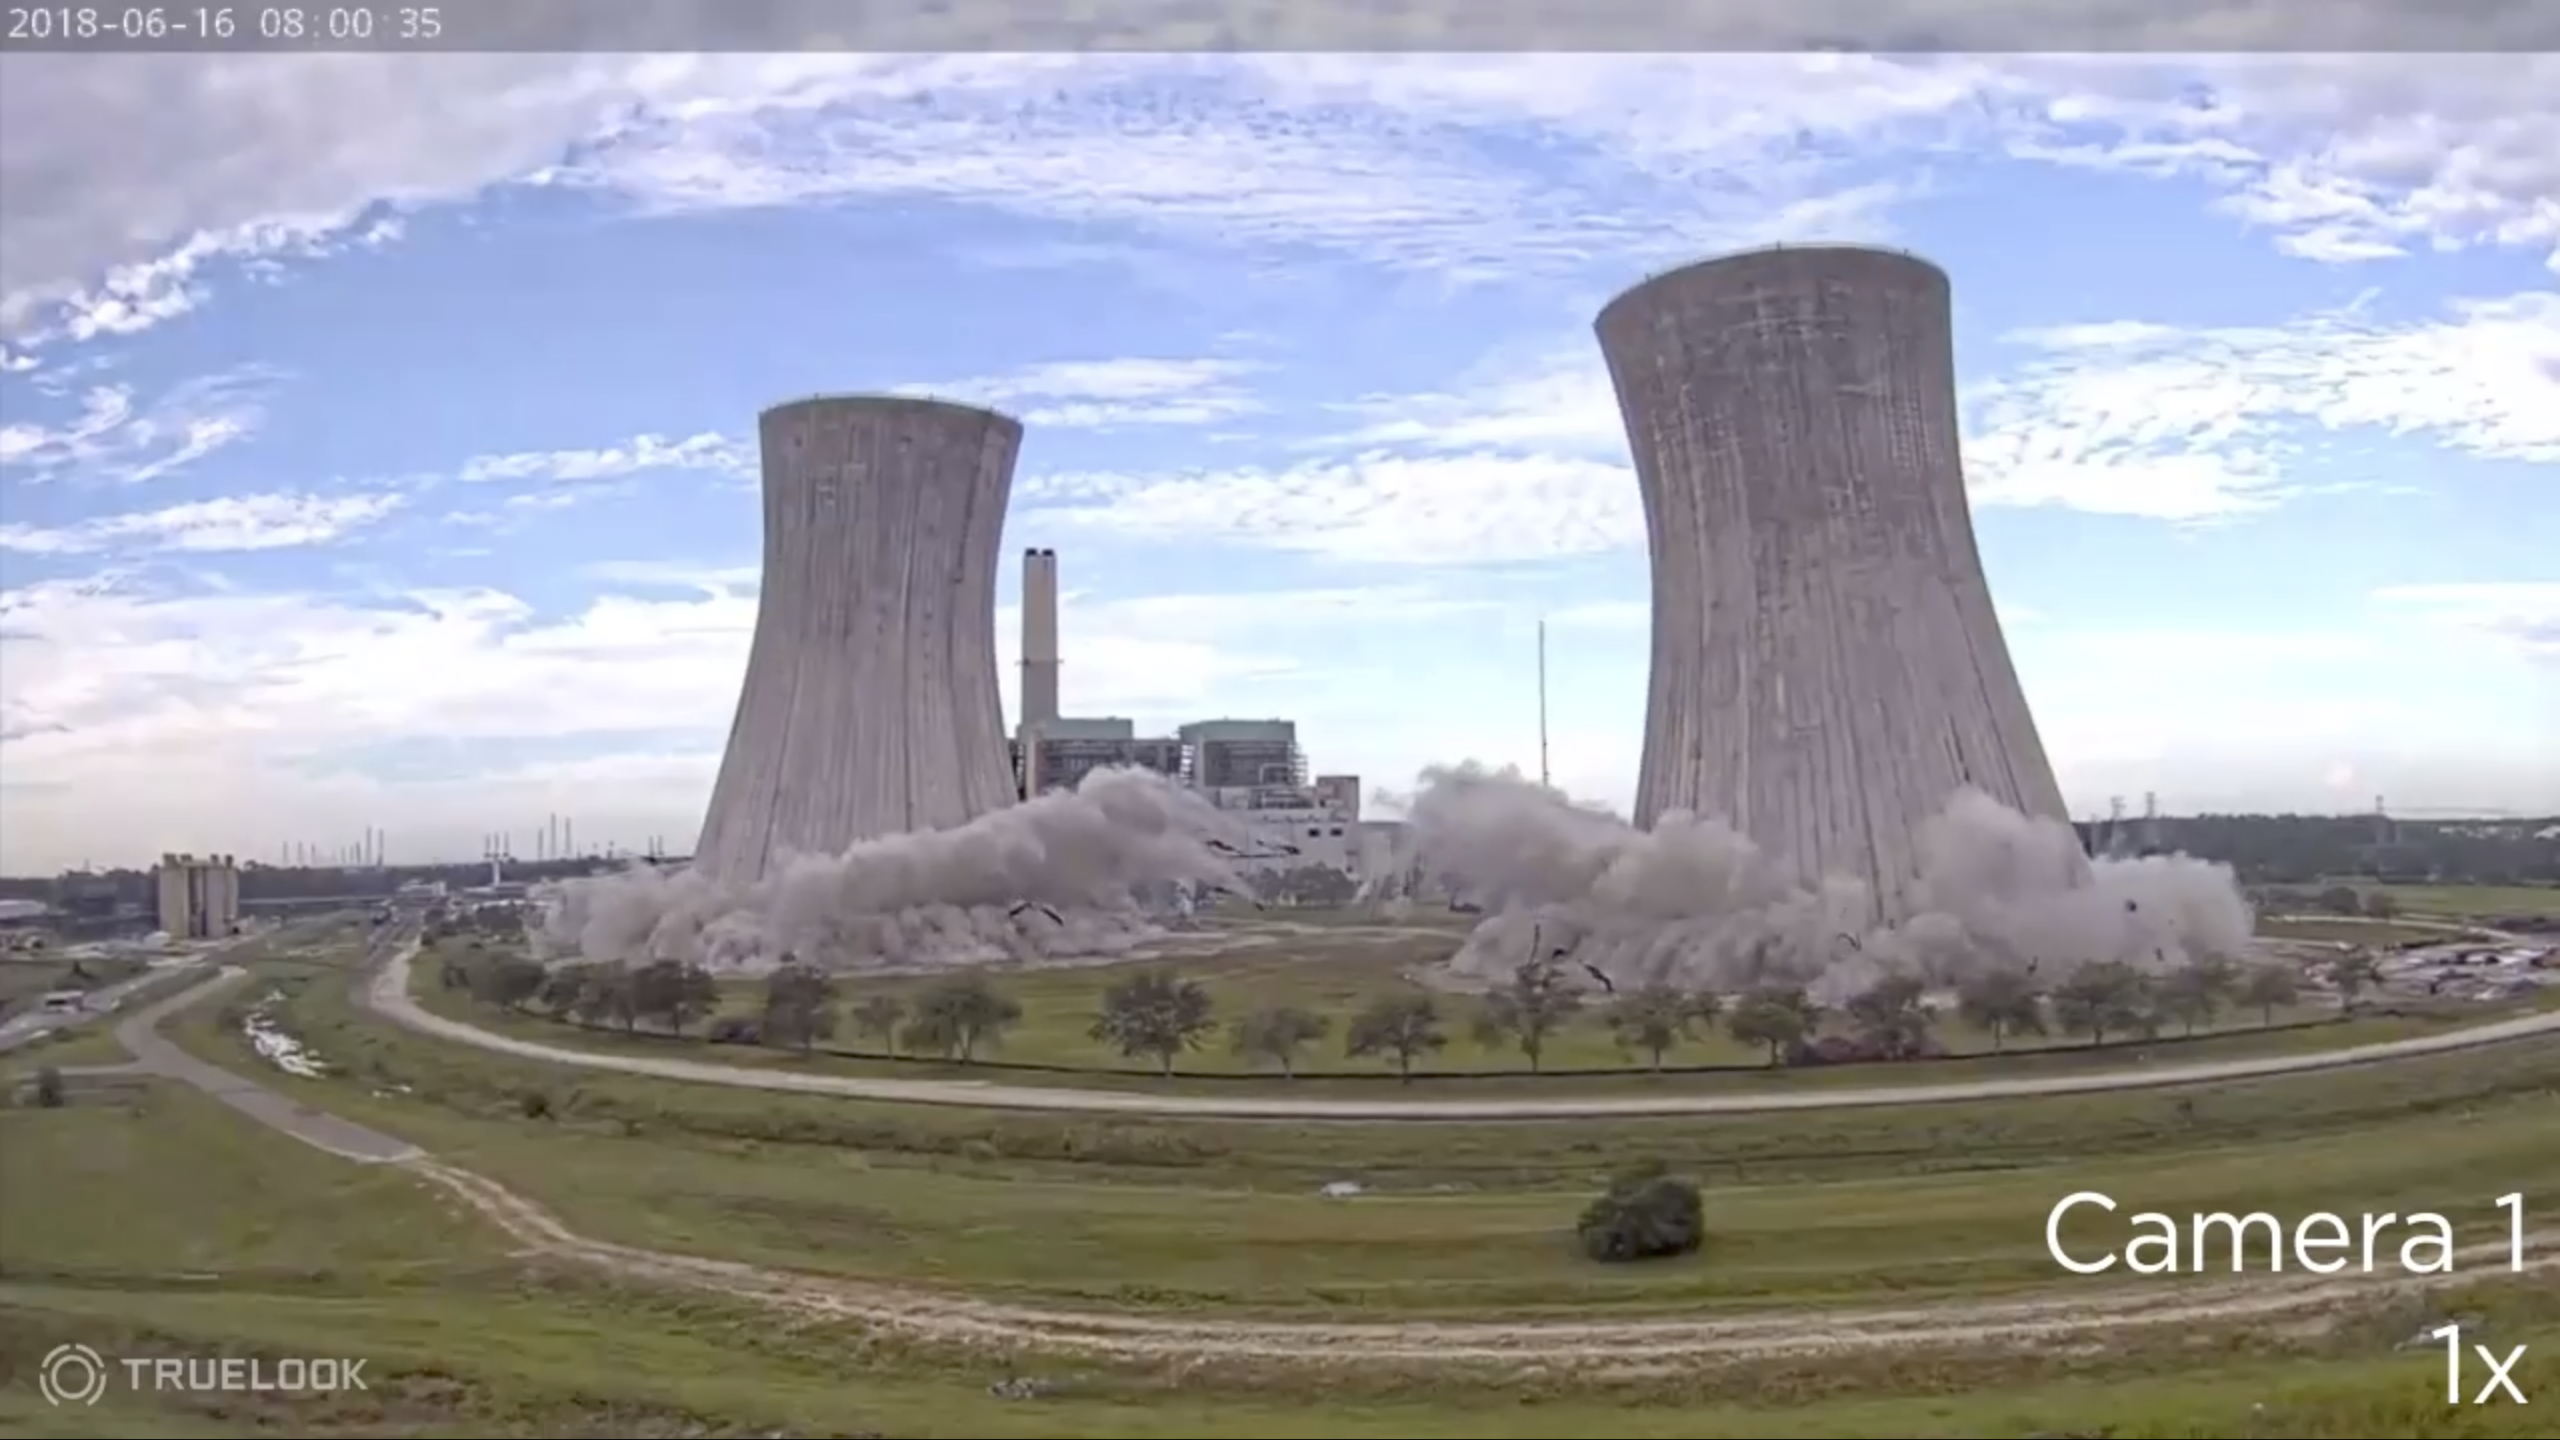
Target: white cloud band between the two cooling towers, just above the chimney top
[{"x": 1368, "y": 509}]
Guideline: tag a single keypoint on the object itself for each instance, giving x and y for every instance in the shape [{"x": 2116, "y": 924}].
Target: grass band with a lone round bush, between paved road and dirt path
[{"x": 1202, "y": 1216}]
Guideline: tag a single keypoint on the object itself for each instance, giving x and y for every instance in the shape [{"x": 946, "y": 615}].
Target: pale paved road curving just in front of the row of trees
[{"x": 390, "y": 998}]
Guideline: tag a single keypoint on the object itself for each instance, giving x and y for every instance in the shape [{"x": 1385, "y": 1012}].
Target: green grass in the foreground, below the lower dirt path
[{"x": 175, "y": 1229}]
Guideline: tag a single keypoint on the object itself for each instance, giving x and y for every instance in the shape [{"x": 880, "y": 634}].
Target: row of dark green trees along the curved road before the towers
[{"x": 1161, "y": 1016}]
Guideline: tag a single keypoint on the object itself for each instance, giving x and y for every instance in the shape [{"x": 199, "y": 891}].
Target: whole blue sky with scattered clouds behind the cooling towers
[{"x": 378, "y": 434}]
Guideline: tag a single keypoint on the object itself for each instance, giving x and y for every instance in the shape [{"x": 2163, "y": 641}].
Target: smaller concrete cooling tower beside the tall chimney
[{"x": 872, "y": 685}]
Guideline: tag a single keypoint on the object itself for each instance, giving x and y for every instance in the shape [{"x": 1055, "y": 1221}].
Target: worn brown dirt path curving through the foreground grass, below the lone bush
[{"x": 1571, "y": 1344}]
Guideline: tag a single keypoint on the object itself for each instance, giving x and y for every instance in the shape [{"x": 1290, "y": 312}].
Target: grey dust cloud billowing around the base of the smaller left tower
[{"x": 1051, "y": 878}]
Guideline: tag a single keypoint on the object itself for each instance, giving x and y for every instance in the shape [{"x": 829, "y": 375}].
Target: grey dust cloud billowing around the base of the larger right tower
[{"x": 1699, "y": 906}]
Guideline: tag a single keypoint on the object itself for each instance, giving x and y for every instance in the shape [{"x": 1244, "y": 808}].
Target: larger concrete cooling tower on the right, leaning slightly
[{"x": 1827, "y": 662}]
